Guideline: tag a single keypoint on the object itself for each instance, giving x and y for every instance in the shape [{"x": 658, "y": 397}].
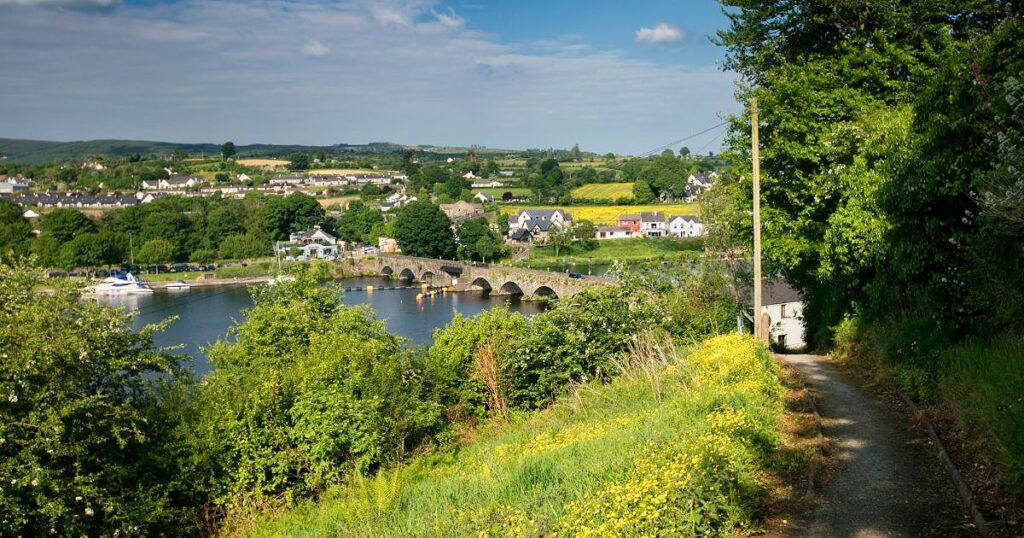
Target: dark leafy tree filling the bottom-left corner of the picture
[{"x": 86, "y": 448}]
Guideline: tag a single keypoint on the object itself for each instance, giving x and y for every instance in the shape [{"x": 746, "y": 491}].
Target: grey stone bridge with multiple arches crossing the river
[{"x": 498, "y": 280}]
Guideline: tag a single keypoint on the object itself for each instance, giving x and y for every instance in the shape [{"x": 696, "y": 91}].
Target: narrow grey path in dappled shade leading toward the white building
[{"x": 886, "y": 481}]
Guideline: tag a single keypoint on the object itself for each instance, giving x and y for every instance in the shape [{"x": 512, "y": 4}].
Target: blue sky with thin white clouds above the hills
[{"x": 612, "y": 76}]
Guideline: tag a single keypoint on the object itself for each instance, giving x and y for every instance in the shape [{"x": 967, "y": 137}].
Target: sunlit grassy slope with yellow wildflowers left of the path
[{"x": 676, "y": 450}]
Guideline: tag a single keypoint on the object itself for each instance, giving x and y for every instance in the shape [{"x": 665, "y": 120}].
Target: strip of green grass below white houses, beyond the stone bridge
[{"x": 618, "y": 250}]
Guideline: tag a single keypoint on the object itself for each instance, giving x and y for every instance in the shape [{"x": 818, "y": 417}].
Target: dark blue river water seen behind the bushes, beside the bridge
[{"x": 205, "y": 314}]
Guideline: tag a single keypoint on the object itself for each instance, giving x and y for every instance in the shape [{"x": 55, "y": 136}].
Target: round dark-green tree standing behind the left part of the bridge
[{"x": 423, "y": 230}]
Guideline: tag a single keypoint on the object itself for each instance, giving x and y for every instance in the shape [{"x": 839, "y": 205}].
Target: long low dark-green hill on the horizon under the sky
[{"x": 45, "y": 152}]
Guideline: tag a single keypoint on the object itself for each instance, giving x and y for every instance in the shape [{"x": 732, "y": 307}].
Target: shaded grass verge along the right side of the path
[{"x": 971, "y": 390}]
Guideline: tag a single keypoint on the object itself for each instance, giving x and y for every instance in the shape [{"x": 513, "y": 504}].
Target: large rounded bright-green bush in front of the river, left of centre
[{"x": 309, "y": 393}]
